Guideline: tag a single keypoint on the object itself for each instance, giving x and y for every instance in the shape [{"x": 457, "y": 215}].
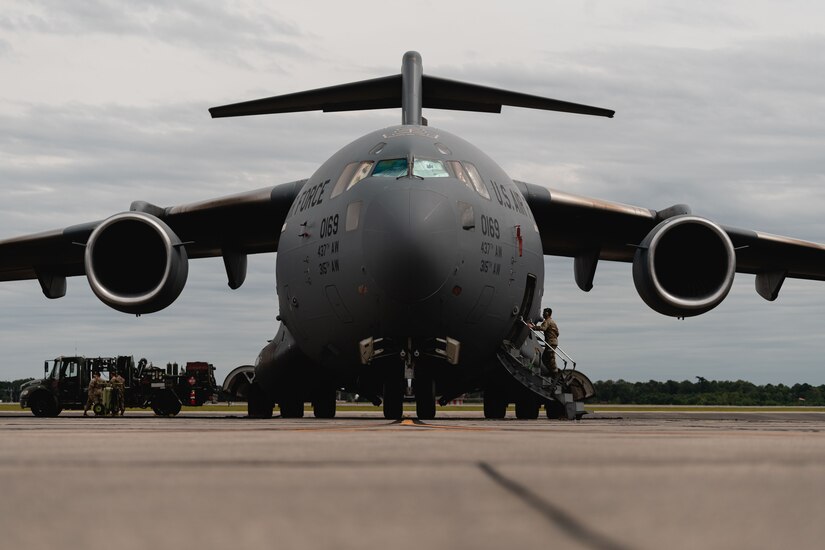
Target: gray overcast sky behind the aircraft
[{"x": 719, "y": 105}]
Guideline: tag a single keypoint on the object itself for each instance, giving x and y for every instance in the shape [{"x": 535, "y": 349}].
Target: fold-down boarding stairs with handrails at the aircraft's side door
[{"x": 563, "y": 392}]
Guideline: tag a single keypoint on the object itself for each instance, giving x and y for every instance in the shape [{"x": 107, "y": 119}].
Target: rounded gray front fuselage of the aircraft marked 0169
[{"x": 408, "y": 256}]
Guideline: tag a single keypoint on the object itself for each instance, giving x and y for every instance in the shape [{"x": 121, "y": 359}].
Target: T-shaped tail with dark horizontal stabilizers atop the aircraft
[{"x": 411, "y": 90}]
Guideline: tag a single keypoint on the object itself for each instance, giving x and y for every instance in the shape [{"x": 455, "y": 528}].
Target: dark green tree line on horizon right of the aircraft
[{"x": 706, "y": 392}]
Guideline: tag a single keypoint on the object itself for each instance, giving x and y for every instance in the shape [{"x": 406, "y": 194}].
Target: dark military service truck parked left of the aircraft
[{"x": 66, "y": 382}]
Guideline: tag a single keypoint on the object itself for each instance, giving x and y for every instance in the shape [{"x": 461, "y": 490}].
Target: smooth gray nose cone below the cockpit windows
[{"x": 410, "y": 243}]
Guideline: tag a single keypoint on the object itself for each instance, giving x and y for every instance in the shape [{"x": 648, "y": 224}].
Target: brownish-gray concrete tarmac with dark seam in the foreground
[{"x": 611, "y": 481}]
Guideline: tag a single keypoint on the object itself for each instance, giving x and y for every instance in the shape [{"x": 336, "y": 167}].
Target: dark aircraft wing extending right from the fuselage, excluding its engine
[{"x": 590, "y": 229}]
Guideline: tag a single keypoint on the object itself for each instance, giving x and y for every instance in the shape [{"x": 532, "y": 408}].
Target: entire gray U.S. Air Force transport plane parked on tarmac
[{"x": 409, "y": 261}]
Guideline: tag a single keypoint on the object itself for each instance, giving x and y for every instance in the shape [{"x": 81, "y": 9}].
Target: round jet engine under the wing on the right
[{"x": 685, "y": 266}]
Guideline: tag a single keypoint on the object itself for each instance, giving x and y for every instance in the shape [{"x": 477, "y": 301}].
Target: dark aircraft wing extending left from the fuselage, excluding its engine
[{"x": 246, "y": 223}]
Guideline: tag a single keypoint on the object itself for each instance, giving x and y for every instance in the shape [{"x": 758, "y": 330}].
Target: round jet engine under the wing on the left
[{"x": 135, "y": 263}]
